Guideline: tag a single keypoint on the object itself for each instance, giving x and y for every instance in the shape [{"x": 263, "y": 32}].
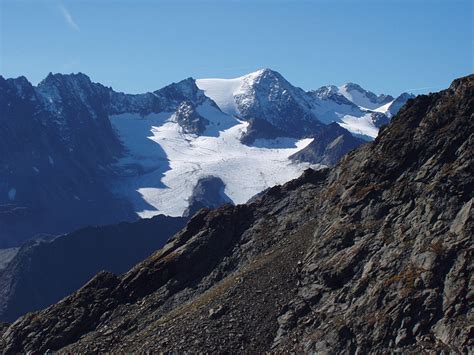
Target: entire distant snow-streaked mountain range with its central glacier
[{"x": 75, "y": 153}]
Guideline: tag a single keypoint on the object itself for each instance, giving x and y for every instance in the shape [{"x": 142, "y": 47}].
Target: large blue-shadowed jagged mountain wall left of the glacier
[{"x": 54, "y": 160}]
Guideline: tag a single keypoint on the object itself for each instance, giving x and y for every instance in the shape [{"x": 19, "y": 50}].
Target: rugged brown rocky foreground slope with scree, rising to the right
[{"x": 372, "y": 255}]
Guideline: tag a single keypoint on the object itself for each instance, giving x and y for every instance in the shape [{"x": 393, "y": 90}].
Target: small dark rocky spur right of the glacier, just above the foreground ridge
[{"x": 328, "y": 146}]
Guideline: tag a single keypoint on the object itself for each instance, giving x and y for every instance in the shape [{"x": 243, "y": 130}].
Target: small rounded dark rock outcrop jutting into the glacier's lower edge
[{"x": 208, "y": 193}]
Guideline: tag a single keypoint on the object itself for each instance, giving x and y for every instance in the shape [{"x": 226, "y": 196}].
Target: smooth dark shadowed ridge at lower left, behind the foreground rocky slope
[{"x": 43, "y": 272}]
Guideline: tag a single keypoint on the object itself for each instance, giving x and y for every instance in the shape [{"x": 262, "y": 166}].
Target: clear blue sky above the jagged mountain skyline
[{"x": 135, "y": 46}]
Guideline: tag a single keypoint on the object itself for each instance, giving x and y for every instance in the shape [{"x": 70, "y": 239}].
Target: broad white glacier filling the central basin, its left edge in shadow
[{"x": 164, "y": 164}]
